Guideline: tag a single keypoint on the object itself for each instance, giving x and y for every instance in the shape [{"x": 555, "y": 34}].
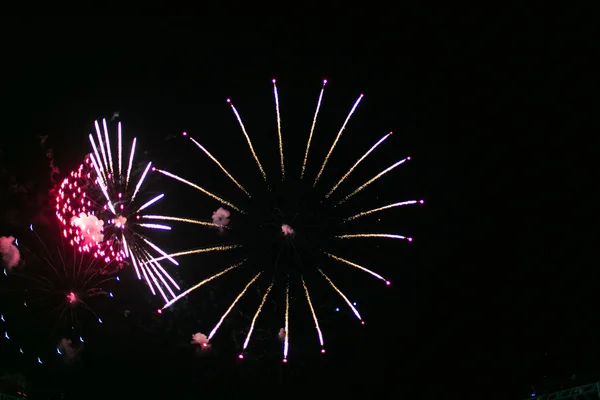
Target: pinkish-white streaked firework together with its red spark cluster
[{"x": 100, "y": 208}]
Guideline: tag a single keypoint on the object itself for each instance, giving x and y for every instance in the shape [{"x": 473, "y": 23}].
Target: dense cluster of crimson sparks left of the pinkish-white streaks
[{"x": 73, "y": 200}]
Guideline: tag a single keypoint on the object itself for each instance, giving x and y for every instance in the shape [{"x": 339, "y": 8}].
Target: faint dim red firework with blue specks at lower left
[{"x": 53, "y": 297}]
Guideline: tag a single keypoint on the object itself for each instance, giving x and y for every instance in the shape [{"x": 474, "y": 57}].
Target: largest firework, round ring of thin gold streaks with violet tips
[{"x": 260, "y": 217}]
